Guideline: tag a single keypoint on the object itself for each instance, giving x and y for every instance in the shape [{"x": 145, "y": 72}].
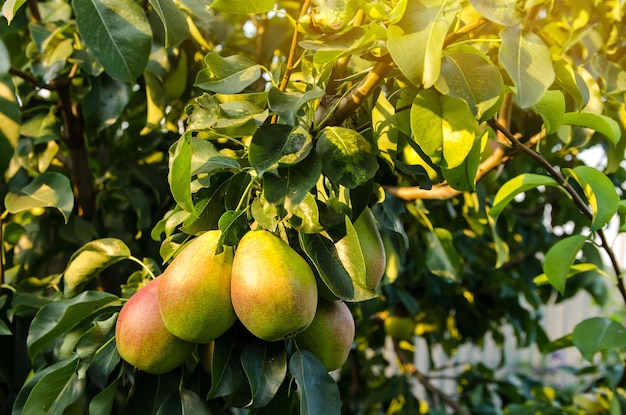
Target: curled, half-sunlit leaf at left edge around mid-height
[{"x": 49, "y": 189}]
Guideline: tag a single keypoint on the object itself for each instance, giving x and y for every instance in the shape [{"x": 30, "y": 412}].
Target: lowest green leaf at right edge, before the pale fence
[{"x": 598, "y": 334}]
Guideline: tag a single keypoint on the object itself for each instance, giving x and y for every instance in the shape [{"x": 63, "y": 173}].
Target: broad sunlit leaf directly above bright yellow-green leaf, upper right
[{"x": 468, "y": 74}]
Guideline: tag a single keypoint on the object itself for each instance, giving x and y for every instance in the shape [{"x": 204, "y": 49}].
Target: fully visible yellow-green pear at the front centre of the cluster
[{"x": 273, "y": 289}]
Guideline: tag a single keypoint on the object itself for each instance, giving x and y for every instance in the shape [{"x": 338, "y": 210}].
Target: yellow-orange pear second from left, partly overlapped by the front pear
[{"x": 194, "y": 295}]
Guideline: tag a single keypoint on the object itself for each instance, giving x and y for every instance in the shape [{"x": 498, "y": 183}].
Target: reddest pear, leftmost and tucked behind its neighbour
[{"x": 141, "y": 337}]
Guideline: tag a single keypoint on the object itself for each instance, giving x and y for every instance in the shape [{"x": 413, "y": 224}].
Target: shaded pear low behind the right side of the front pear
[{"x": 330, "y": 335}]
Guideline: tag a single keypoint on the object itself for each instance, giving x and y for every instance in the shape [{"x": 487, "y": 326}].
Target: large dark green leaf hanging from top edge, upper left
[{"x": 118, "y": 33}]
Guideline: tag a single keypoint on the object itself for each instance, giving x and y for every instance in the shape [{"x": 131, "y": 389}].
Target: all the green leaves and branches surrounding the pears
[{"x": 485, "y": 136}]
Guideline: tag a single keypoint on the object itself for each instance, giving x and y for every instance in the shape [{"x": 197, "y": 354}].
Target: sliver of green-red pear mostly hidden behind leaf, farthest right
[{"x": 372, "y": 248}]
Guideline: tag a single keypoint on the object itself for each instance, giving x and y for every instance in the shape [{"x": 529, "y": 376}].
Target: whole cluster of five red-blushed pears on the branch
[{"x": 264, "y": 283}]
